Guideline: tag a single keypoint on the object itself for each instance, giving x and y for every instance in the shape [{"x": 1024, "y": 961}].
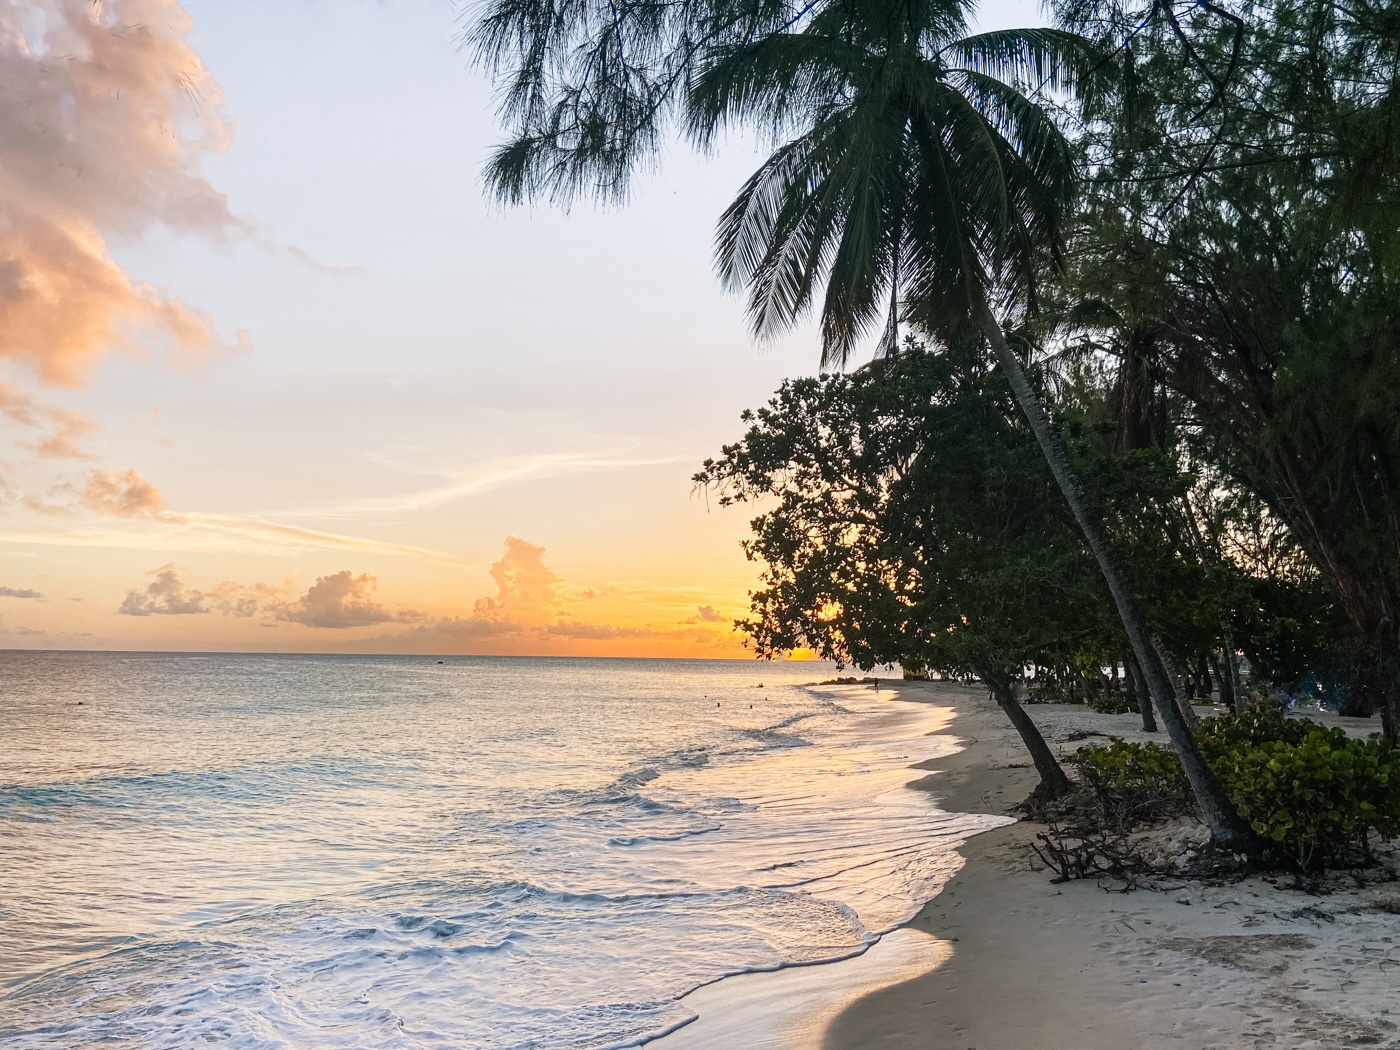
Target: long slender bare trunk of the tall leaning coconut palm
[{"x": 1228, "y": 829}]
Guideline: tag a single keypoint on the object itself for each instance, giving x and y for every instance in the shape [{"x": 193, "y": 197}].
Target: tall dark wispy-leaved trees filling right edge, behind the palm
[{"x": 1238, "y": 246}]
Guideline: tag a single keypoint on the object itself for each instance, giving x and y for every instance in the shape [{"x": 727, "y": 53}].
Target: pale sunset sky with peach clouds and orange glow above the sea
[{"x": 276, "y": 376}]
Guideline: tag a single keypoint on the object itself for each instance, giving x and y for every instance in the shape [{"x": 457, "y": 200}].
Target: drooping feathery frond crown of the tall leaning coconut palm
[{"x": 915, "y": 180}]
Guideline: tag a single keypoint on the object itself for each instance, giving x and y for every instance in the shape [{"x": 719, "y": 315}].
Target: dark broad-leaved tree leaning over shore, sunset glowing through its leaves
[{"x": 908, "y": 516}]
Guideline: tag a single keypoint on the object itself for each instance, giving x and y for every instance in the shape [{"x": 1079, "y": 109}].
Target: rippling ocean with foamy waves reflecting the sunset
[{"x": 409, "y": 852}]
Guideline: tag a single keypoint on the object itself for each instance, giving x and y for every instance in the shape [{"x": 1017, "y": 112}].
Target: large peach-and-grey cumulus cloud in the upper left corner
[{"x": 106, "y": 111}]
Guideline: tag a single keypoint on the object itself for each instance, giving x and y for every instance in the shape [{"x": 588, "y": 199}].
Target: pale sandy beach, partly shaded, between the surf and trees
[{"x": 1004, "y": 960}]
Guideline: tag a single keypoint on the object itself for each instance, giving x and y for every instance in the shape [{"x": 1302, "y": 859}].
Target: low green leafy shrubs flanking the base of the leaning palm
[{"x": 1310, "y": 789}]
